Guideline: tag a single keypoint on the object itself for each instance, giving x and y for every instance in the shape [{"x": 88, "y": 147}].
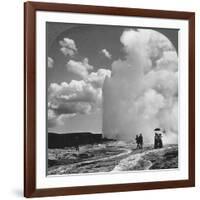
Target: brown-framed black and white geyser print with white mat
[{"x": 109, "y": 99}]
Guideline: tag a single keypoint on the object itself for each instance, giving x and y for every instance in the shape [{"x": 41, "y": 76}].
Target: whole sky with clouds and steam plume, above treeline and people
[{"x": 122, "y": 80}]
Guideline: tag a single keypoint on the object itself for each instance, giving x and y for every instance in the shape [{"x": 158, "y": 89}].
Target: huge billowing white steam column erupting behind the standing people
[{"x": 142, "y": 93}]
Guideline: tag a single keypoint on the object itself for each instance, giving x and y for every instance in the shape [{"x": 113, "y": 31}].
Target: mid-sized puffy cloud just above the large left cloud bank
[{"x": 79, "y": 68}]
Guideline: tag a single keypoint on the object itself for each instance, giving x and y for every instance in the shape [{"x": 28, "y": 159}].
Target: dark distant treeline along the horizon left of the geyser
[{"x": 56, "y": 140}]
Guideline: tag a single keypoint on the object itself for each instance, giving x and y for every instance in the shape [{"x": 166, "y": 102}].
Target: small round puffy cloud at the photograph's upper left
[{"x": 68, "y": 47}]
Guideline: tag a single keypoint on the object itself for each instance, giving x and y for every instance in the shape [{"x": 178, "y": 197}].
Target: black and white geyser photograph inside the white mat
[{"x": 112, "y": 98}]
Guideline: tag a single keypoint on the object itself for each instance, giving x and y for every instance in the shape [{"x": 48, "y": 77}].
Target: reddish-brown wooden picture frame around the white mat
[{"x": 30, "y": 9}]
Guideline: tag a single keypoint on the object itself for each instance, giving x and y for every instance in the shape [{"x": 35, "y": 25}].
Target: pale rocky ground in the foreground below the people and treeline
[{"x": 111, "y": 156}]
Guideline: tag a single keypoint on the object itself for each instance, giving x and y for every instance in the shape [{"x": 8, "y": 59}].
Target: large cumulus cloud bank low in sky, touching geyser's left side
[{"x": 77, "y": 97}]
